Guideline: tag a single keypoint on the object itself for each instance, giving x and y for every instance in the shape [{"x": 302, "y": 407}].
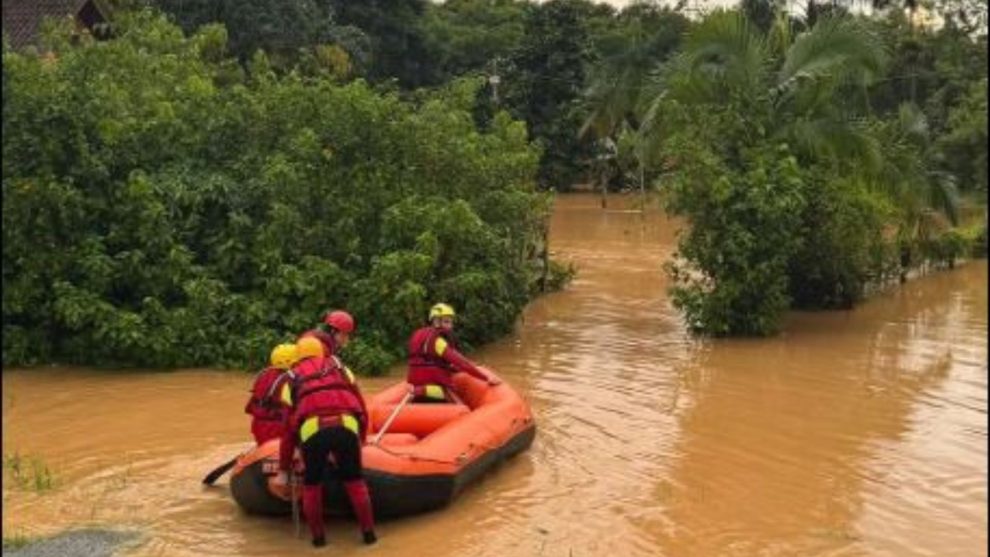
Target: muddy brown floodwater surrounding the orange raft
[{"x": 853, "y": 433}]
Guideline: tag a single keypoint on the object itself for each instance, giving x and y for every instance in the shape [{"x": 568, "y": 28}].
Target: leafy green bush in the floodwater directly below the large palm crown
[{"x": 733, "y": 276}]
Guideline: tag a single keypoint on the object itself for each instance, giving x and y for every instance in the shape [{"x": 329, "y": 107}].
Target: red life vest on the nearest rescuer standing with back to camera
[{"x": 323, "y": 393}]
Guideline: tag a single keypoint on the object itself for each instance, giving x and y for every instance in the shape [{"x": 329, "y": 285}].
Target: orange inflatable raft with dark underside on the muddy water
[{"x": 429, "y": 453}]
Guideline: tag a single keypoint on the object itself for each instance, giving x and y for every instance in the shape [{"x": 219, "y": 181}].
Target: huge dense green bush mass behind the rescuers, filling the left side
[{"x": 162, "y": 208}]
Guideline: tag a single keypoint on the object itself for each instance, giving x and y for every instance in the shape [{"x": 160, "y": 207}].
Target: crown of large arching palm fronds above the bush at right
[{"x": 795, "y": 84}]
